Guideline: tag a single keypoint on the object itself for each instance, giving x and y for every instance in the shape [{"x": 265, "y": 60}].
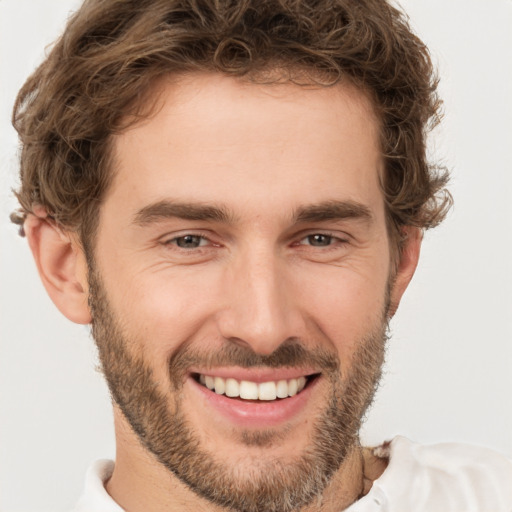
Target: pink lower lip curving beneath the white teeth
[{"x": 257, "y": 414}]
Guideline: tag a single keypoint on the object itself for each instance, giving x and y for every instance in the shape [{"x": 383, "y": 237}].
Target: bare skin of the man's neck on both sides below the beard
[{"x": 140, "y": 483}]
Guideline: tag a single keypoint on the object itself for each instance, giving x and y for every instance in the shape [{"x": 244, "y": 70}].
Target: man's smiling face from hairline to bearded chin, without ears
[{"x": 240, "y": 285}]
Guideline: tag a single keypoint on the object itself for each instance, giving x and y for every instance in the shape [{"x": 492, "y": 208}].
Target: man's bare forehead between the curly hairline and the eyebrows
[{"x": 213, "y": 138}]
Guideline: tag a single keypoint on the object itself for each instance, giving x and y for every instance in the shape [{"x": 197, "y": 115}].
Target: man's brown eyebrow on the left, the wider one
[{"x": 167, "y": 209}]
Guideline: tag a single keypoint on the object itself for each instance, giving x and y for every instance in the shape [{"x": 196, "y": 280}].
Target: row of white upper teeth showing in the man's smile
[{"x": 253, "y": 390}]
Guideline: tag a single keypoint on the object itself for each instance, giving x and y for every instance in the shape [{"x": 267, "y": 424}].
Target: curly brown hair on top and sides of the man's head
[{"x": 112, "y": 51}]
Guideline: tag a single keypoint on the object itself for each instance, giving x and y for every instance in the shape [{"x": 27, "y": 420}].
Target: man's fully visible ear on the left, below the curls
[{"x": 62, "y": 266}]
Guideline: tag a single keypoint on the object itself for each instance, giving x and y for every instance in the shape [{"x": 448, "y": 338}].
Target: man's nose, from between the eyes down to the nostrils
[{"x": 259, "y": 306}]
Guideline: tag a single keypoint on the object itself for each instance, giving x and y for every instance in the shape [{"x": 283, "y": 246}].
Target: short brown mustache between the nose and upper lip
[{"x": 291, "y": 353}]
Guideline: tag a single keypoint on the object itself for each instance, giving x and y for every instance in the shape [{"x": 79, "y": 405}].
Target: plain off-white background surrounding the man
[{"x": 448, "y": 375}]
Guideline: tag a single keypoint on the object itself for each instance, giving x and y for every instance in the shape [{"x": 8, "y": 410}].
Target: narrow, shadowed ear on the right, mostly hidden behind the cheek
[{"x": 409, "y": 254}]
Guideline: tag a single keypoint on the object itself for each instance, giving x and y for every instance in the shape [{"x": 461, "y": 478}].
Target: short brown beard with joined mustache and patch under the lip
[{"x": 271, "y": 485}]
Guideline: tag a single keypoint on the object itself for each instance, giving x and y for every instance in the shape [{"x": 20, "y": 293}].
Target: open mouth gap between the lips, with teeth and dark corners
[{"x": 251, "y": 391}]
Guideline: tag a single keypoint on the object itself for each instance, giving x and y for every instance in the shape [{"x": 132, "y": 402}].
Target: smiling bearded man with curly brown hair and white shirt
[{"x": 233, "y": 196}]
